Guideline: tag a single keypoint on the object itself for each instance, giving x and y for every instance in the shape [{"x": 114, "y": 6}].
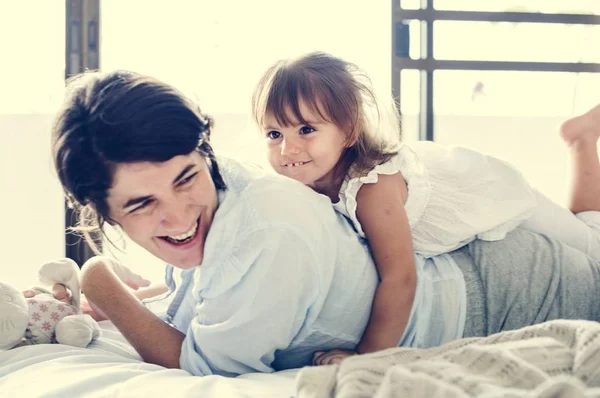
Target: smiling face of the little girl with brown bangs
[{"x": 305, "y": 152}]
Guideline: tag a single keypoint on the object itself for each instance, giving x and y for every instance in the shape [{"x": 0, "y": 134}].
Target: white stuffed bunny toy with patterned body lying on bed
[{"x": 43, "y": 319}]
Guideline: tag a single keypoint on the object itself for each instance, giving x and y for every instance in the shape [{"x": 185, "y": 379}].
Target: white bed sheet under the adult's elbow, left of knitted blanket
[{"x": 110, "y": 367}]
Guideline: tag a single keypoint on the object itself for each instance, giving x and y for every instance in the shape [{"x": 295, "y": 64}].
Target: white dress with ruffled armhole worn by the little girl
[{"x": 455, "y": 195}]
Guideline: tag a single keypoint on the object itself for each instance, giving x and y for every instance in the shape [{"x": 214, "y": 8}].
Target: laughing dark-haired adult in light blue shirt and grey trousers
[{"x": 270, "y": 274}]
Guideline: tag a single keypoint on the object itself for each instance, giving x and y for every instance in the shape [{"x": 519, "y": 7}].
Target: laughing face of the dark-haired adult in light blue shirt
[{"x": 167, "y": 208}]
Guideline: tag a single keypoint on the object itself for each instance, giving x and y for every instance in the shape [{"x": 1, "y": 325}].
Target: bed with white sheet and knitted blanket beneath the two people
[{"x": 554, "y": 359}]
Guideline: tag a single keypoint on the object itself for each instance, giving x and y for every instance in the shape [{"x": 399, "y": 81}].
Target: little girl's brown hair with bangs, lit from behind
[{"x": 339, "y": 92}]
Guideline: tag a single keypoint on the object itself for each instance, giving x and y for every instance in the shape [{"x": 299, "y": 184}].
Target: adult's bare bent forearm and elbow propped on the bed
[{"x": 153, "y": 339}]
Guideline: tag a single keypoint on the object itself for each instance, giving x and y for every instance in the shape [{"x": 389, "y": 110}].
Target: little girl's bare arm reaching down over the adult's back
[{"x": 383, "y": 218}]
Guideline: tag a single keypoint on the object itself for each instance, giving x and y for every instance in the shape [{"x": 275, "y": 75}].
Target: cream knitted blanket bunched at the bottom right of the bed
[{"x": 554, "y": 359}]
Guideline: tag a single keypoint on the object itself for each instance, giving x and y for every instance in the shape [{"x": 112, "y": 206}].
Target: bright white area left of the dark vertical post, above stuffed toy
[{"x": 31, "y": 81}]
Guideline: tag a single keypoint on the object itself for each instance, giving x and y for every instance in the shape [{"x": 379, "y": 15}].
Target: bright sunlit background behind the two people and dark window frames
[{"x": 216, "y": 50}]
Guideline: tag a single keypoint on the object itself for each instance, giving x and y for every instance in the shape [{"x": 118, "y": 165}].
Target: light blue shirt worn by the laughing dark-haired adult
[{"x": 283, "y": 276}]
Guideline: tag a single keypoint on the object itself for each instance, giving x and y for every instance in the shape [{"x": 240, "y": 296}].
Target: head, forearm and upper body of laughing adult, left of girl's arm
[{"x": 276, "y": 263}]
